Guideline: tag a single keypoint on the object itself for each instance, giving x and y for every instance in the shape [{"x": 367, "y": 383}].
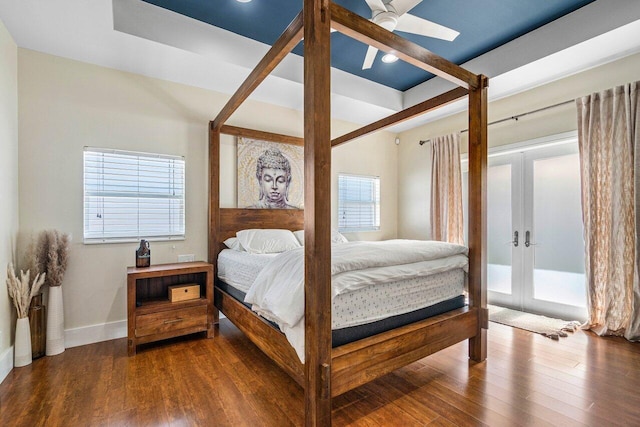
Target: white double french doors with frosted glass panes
[{"x": 535, "y": 259}]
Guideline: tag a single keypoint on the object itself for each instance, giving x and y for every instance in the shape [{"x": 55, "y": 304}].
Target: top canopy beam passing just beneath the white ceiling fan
[{"x": 358, "y": 28}]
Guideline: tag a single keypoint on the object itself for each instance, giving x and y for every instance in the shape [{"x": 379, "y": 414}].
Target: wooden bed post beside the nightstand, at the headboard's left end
[{"x": 214, "y": 202}]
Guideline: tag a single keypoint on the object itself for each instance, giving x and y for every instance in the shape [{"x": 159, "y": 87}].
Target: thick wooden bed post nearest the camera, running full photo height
[{"x": 317, "y": 211}]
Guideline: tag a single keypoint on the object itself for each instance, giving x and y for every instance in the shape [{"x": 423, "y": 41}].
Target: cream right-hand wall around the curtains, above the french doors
[{"x": 414, "y": 169}]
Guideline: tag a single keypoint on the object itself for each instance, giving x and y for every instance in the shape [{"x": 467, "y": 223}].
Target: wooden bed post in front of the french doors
[{"x": 478, "y": 216}]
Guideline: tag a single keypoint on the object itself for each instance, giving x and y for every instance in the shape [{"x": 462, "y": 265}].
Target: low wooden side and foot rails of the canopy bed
[{"x": 357, "y": 363}]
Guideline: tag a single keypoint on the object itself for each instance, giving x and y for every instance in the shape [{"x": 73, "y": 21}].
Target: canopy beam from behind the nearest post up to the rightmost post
[{"x": 401, "y": 116}]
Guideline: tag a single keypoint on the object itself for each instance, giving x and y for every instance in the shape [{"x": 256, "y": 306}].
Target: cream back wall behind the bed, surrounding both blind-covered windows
[{"x": 65, "y": 105}]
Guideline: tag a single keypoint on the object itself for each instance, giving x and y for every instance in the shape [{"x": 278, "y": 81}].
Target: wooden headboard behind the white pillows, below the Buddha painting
[{"x": 233, "y": 220}]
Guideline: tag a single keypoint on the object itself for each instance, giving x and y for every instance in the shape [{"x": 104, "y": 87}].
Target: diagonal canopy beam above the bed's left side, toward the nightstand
[{"x": 281, "y": 48}]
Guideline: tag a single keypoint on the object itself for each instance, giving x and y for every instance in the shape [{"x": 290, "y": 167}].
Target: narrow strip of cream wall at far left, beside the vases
[{"x": 8, "y": 187}]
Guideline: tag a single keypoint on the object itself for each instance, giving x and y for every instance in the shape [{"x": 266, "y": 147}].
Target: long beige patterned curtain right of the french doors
[{"x": 608, "y": 138}]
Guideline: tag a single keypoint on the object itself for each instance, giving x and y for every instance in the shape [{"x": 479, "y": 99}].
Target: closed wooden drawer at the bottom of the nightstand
[{"x": 171, "y": 320}]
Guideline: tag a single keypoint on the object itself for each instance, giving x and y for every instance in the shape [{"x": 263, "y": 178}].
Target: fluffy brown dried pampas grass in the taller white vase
[{"x": 50, "y": 255}]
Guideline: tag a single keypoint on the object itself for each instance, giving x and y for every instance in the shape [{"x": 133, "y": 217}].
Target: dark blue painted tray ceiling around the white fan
[{"x": 483, "y": 26}]
